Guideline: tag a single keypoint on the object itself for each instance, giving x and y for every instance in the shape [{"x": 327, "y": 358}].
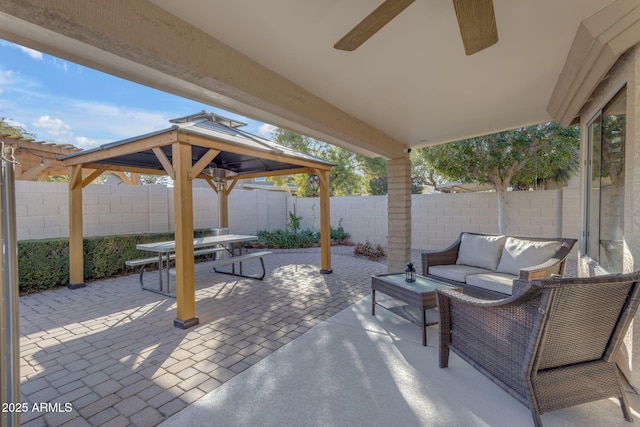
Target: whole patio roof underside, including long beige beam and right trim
[{"x": 411, "y": 84}]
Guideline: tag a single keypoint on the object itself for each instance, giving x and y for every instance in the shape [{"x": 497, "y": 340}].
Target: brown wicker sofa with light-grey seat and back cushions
[{"x": 490, "y": 265}]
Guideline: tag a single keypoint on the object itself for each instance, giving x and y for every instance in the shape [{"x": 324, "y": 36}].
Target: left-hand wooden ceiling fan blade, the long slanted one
[{"x": 371, "y": 24}]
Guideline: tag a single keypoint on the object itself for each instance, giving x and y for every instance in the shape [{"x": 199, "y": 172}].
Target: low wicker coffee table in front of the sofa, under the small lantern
[{"x": 414, "y": 301}]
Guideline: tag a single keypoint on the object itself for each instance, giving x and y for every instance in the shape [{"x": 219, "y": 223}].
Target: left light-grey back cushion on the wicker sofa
[{"x": 480, "y": 251}]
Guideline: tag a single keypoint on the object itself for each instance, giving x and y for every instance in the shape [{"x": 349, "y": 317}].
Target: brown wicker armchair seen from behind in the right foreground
[{"x": 552, "y": 345}]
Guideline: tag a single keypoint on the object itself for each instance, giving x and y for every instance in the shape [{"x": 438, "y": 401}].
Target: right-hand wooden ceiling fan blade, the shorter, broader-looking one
[{"x": 477, "y": 23}]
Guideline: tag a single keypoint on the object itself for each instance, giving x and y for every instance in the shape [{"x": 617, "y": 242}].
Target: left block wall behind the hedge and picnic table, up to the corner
[{"x": 42, "y": 209}]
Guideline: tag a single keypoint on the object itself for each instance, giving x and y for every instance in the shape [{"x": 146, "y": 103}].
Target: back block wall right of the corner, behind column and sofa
[{"x": 438, "y": 219}]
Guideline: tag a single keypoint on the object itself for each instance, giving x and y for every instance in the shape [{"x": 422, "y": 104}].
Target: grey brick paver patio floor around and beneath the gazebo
[{"x": 110, "y": 350}]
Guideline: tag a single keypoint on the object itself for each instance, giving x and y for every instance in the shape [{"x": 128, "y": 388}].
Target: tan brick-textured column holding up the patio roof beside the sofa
[{"x": 399, "y": 214}]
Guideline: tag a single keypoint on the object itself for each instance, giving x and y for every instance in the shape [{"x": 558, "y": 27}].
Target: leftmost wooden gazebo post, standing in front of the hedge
[{"x": 76, "y": 257}]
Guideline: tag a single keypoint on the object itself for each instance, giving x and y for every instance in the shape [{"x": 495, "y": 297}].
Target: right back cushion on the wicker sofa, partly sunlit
[{"x": 519, "y": 253}]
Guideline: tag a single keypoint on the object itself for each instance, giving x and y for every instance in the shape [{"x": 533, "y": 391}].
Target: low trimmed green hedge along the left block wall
[{"x": 44, "y": 264}]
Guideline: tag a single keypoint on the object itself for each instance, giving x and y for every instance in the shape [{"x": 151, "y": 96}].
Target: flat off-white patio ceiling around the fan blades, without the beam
[{"x": 412, "y": 80}]
